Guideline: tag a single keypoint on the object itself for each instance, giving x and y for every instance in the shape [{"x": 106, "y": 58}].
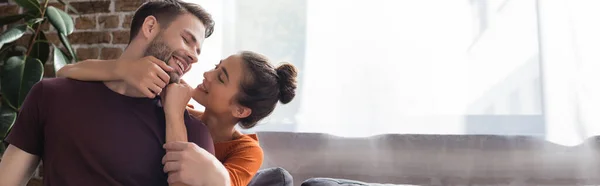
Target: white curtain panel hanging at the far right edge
[{"x": 571, "y": 65}]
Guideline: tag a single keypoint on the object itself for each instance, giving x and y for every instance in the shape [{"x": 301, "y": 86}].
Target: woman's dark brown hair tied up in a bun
[{"x": 263, "y": 85}]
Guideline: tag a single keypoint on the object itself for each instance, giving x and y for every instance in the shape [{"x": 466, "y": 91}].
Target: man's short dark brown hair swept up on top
[{"x": 166, "y": 11}]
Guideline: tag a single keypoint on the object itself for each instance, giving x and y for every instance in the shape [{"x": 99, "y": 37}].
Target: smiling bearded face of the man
[{"x": 179, "y": 44}]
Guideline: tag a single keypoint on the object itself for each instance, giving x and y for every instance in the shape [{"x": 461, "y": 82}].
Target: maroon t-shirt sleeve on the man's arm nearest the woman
[{"x": 198, "y": 133}]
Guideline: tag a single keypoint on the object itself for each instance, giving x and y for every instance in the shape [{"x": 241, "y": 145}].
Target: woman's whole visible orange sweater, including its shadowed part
[{"x": 242, "y": 157}]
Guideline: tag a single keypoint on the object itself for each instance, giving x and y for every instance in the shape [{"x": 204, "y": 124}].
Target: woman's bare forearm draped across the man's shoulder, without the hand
[{"x": 90, "y": 70}]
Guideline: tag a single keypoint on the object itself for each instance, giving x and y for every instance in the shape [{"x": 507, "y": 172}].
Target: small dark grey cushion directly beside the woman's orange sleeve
[{"x": 272, "y": 177}]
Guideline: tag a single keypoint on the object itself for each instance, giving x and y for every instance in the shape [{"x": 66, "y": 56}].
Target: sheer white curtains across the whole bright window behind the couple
[{"x": 371, "y": 67}]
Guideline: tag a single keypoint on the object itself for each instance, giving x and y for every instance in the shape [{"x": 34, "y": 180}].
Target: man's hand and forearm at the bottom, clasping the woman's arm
[{"x": 189, "y": 164}]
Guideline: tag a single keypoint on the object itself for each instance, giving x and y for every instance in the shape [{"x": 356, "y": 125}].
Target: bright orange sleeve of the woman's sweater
[{"x": 243, "y": 163}]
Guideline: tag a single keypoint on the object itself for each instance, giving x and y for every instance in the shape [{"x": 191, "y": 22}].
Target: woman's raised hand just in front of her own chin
[{"x": 176, "y": 98}]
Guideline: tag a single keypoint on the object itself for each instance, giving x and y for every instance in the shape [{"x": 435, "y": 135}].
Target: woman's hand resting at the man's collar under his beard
[{"x": 148, "y": 74}]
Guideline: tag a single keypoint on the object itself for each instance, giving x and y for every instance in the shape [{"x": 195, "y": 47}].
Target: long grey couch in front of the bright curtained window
[{"x": 432, "y": 159}]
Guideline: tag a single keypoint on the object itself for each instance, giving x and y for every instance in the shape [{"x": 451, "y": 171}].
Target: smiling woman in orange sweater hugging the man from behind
[{"x": 243, "y": 88}]
